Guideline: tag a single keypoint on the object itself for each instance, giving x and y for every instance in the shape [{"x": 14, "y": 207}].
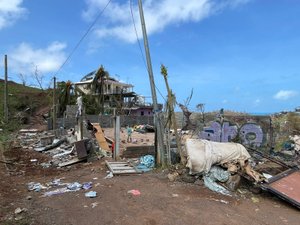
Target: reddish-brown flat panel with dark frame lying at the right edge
[{"x": 286, "y": 185}]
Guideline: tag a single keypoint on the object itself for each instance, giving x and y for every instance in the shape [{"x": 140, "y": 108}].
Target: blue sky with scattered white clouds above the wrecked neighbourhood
[{"x": 239, "y": 55}]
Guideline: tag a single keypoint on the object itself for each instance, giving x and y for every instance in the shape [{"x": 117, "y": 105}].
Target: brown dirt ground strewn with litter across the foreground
[{"x": 160, "y": 201}]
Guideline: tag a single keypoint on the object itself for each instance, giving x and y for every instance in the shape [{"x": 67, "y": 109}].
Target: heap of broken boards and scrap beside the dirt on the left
[{"x": 62, "y": 146}]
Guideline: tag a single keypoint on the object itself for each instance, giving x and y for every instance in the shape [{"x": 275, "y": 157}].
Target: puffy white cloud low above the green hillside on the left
[{"x": 24, "y": 59}]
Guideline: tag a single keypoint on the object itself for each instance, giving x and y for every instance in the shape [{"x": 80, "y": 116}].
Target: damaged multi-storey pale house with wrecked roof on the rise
[{"x": 114, "y": 94}]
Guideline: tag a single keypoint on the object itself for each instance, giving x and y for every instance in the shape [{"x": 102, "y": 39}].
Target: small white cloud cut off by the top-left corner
[{"x": 10, "y": 11}]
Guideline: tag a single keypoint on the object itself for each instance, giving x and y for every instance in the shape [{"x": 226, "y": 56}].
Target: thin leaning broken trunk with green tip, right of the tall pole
[{"x": 170, "y": 105}]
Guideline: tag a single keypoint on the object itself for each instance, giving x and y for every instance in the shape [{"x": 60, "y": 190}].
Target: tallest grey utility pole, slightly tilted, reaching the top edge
[{"x": 159, "y": 132}]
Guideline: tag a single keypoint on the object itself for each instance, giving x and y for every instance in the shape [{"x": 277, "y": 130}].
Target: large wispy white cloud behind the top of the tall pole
[{"x": 158, "y": 15}]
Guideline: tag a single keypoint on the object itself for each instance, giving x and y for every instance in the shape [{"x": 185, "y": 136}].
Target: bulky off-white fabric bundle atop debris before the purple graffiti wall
[{"x": 202, "y": 154}]
